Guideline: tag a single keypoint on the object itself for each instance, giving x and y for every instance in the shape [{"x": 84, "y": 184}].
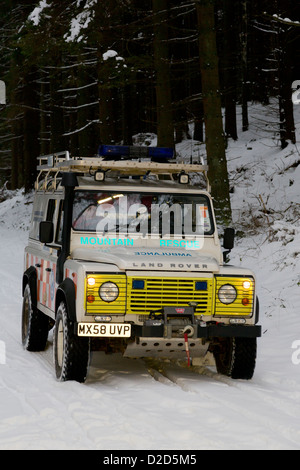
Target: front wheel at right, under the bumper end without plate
[{"x": 236, "y": 357}]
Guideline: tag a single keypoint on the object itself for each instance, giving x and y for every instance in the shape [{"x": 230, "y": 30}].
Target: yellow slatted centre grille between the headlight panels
[{"x": 164, "y": 292}]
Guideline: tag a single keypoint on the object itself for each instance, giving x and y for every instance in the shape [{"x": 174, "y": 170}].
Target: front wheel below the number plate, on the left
[{"x": 71, "y": 353}]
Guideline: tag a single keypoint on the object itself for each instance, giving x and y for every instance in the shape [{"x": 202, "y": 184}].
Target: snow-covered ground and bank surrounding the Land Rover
[{"x": 130, "y": 404}]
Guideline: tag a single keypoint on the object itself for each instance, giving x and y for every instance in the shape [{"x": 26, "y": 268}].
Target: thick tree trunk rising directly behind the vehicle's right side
[{"x": 215, "y": 142}]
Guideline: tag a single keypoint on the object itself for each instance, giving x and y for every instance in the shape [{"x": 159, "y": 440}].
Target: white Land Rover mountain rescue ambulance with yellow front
[{"x": 124, "y": 256}]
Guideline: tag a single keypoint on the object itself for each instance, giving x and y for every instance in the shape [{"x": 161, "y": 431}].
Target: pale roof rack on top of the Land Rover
[{"x": 49, "y": 166}]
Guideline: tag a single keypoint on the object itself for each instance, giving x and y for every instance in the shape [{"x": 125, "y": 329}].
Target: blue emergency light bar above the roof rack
[{"x": 132, "y": 151}]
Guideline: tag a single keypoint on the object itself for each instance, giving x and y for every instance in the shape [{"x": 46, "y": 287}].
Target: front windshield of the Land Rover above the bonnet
[{"x": 143, "y": 214}]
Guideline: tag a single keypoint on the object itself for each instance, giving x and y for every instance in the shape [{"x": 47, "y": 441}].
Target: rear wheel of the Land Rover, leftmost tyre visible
[{"x": 35, "y": 325}]
